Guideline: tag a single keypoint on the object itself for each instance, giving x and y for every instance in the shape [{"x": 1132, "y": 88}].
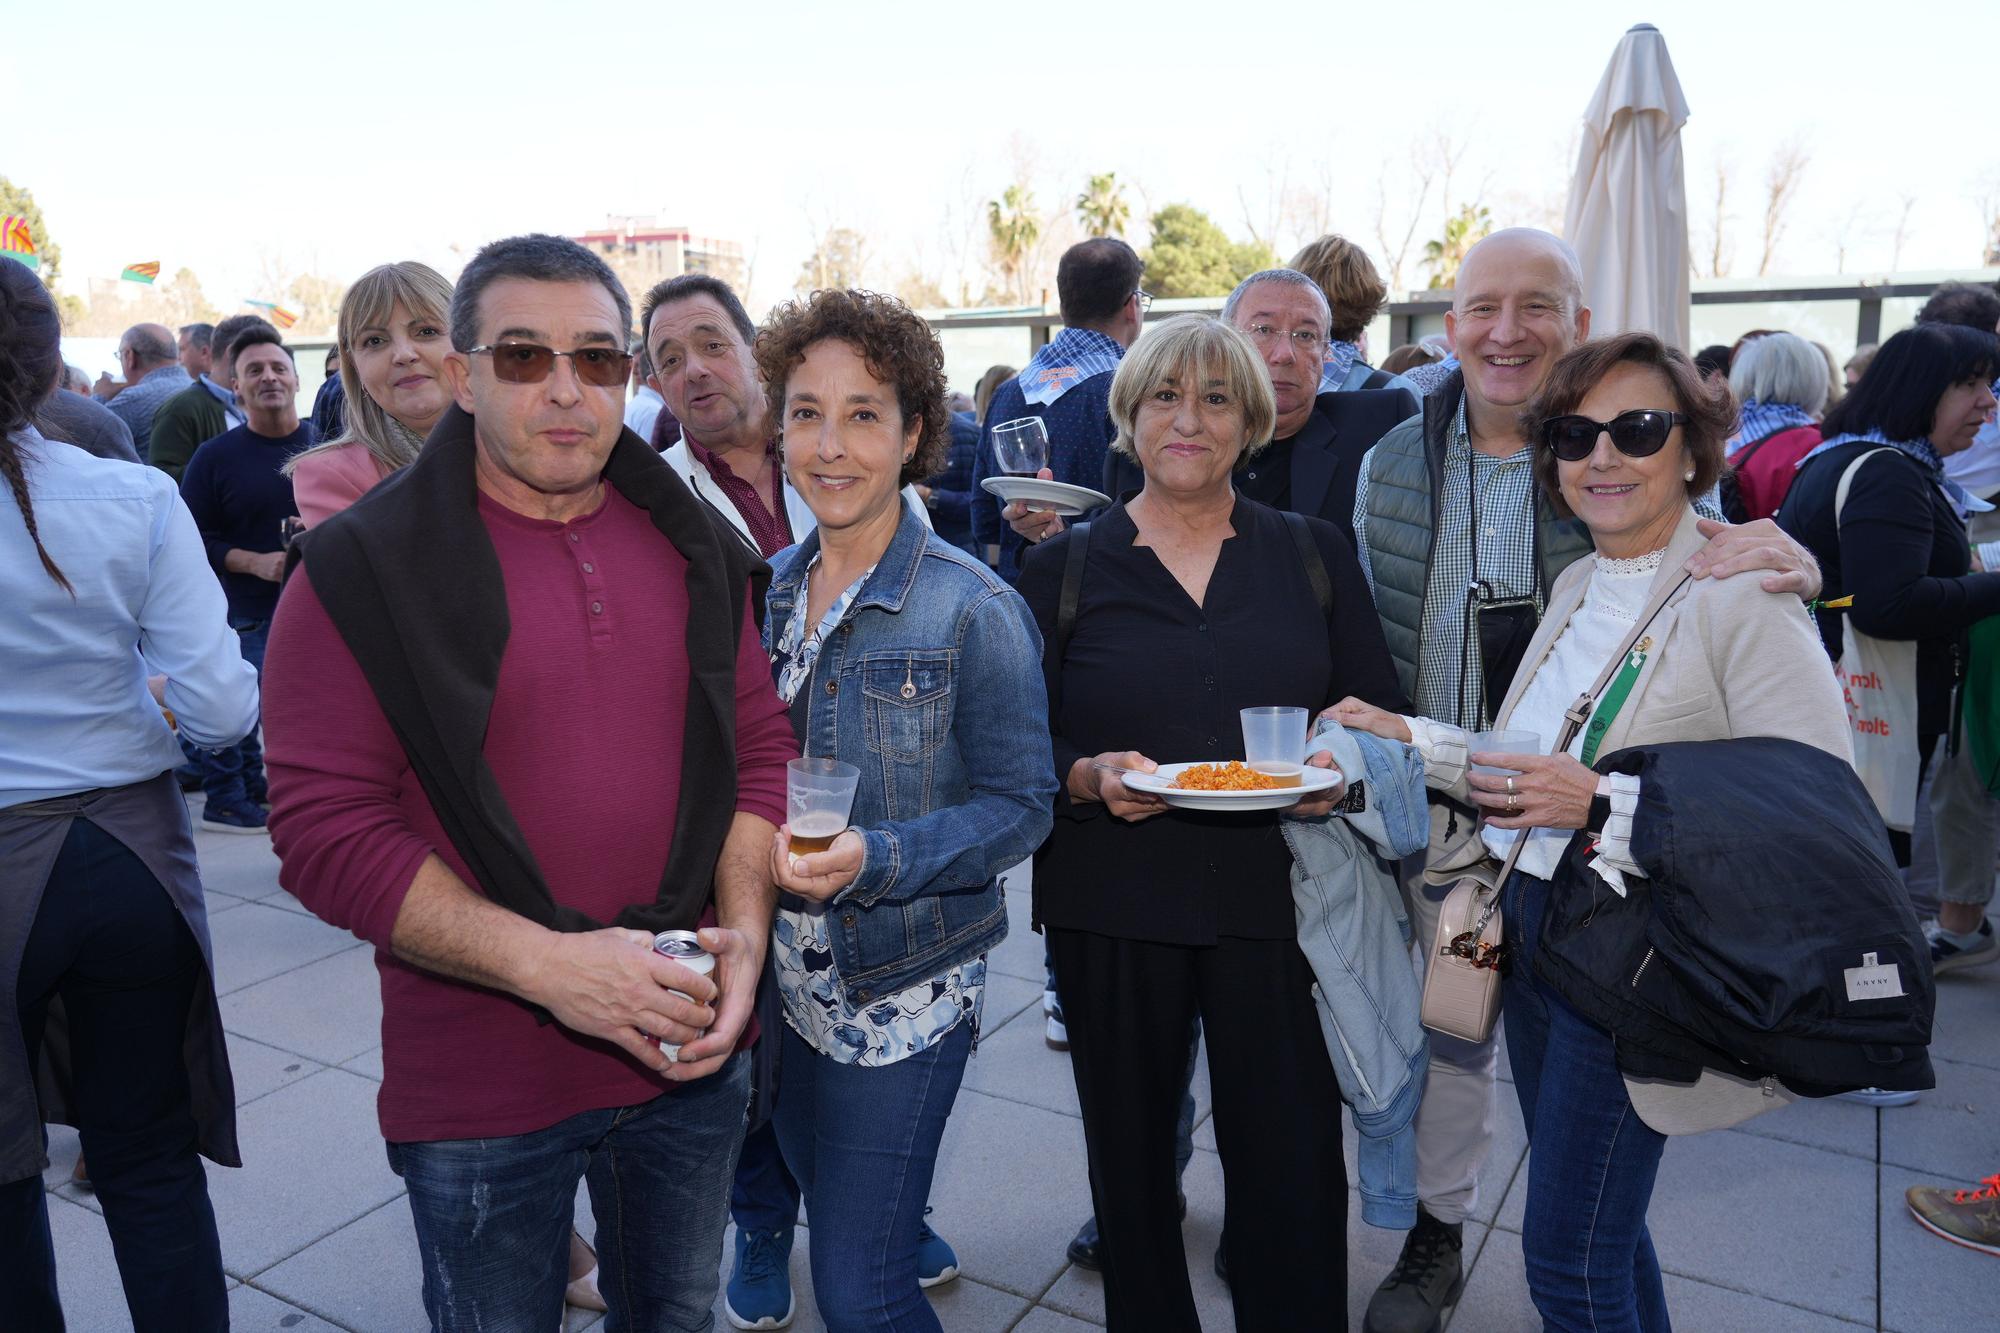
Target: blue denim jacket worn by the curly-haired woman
[{"x": 933, "y": 688}]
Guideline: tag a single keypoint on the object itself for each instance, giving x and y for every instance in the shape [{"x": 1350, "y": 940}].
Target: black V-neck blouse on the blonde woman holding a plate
[{"x": 1151, "y": 672}]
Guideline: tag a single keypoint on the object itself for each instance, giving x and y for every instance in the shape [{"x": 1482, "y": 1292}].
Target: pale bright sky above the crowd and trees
[{"x": 343, "y": 135}]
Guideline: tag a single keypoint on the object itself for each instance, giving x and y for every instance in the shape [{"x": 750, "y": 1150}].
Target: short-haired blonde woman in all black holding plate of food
[{"x": 1197, "y": 603}]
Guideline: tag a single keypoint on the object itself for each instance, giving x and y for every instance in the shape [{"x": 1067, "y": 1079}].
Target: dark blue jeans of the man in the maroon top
[{"x": 493, "y": 1216}]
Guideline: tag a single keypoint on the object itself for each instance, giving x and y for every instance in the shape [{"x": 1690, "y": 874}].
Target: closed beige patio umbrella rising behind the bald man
[{"x": 1629, "y": 199}]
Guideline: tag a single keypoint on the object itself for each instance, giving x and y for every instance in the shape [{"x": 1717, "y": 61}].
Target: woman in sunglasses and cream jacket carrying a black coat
[{"x": 1625, "y": 433}]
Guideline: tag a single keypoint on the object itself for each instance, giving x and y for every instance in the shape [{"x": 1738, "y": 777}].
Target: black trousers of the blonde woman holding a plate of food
[{"x": 1277, "y": 1104}]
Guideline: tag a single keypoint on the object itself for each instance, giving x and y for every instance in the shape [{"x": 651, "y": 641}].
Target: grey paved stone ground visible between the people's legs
[{"x": 1791, "y": 1224}]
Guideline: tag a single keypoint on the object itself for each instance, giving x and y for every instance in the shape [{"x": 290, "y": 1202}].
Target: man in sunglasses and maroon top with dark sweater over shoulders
[{"x": 519, "y": 722}]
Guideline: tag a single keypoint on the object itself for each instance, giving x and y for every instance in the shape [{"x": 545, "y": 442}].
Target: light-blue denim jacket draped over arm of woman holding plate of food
[{"x": 1357, "y": 938}]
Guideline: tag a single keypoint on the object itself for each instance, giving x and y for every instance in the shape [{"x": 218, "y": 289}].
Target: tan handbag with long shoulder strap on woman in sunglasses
[{"x": 1463, "y": 974}]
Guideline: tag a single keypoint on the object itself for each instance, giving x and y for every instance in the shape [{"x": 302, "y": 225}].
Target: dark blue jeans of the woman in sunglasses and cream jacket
[{"x": 1591, "y": 1160}]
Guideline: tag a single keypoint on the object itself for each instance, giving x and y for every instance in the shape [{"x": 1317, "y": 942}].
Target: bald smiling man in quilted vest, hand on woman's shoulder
[{"x": 1461, "y": 549}]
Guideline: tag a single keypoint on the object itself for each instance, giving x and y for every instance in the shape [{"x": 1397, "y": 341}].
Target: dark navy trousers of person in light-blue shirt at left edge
[{"x": 109, "y": 942}]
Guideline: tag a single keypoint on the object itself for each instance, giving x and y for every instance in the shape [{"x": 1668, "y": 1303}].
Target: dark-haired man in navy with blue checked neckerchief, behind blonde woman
[{"x": 1069, "y": 387}]
